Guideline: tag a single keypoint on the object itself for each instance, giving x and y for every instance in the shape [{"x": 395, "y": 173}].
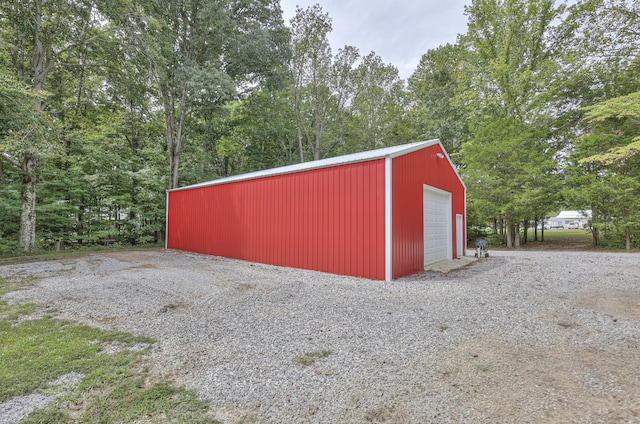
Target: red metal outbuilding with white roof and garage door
[{"x": 381, "y": 214}]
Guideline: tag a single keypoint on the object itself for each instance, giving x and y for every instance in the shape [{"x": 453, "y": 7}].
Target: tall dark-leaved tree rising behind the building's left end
[{"x": 206, "y": 52}]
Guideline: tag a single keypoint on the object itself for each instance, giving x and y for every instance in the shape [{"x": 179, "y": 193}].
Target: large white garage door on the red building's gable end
[{"x": 437, "y": 225}]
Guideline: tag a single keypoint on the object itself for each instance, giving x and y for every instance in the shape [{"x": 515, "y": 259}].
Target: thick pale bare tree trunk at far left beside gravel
[{"x": 28, "y": 211}]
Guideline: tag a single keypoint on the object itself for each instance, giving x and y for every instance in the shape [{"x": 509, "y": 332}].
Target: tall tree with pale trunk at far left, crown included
[{"x": 41, "y": 38}]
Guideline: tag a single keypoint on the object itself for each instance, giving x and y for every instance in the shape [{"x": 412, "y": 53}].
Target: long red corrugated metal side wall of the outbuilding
[{"x": 328, "y": 219}]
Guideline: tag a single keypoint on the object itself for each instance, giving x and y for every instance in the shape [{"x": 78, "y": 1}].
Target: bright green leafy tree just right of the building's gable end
[{"x": 495, "y": 85}]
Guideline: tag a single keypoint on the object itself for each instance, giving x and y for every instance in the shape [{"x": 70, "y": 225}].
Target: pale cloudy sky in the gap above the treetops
[{"x": 399, "y": 31}]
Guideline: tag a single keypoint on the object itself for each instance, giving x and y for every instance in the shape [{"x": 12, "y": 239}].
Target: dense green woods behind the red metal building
[{"x": 106, "y": 104}]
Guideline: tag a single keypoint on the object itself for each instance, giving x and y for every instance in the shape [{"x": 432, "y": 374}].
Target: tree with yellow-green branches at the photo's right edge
[{"x": 601, "y": 81}]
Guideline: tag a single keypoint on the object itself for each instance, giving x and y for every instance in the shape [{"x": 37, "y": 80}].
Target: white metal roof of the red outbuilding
[{"x": 387, "y": 152}]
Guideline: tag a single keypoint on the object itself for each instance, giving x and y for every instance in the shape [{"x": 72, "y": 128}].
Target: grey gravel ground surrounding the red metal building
[{"x": 524, "y": 336}]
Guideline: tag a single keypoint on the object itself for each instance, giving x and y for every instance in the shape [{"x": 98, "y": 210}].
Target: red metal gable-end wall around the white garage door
[{"x": 410, "y": 172}]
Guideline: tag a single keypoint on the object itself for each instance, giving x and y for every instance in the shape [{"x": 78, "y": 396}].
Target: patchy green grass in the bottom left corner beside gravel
[{"x": 115, "y": 388}]
